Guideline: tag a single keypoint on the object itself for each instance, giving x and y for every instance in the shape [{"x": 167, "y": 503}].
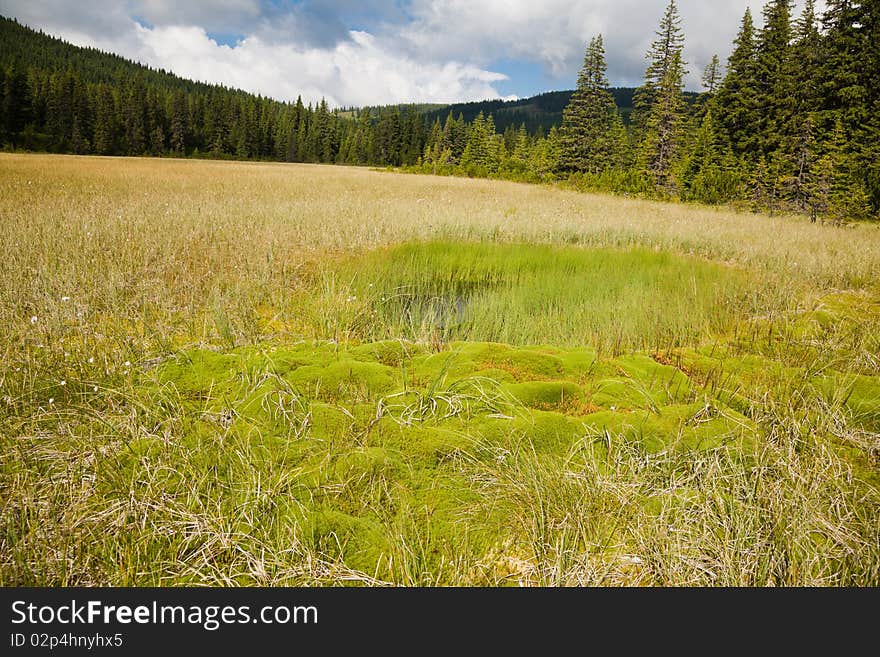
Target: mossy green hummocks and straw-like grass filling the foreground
[{"x": 483, "y": 463}]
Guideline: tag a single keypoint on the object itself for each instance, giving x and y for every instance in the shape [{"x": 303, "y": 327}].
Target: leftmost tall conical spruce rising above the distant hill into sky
[{"x": 587, "y": 139}]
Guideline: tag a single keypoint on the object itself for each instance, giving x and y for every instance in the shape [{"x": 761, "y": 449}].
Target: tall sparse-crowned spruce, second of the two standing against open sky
[{"x": 667, "y": 47}]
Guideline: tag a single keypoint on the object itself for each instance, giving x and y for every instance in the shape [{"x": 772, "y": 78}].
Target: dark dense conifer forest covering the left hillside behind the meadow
[{"x": 64, "y": 99}]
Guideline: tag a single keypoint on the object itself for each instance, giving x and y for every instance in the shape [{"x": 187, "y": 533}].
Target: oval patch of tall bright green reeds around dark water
[{"x": 613, "y": 299}]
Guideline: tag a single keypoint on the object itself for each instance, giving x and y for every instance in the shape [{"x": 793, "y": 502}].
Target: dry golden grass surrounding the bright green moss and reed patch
[{"x": 109, "y": 264}]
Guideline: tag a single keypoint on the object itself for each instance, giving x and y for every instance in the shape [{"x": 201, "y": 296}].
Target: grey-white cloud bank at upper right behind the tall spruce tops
[{"x": 555, "y": 32}]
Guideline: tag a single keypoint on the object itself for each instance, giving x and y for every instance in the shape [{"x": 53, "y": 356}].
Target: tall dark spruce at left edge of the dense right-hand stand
[{"x": 736, "y": 103}]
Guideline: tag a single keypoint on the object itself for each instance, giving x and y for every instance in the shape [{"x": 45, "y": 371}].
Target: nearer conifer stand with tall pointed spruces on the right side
[{"x": 792, "y": 125}]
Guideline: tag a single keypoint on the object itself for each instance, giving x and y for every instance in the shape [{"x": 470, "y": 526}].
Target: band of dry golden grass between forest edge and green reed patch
[{"x": 182, "y": 226}]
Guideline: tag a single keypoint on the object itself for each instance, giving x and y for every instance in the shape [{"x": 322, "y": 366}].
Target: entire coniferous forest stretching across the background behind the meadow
[{"x": 791, "y": 122}]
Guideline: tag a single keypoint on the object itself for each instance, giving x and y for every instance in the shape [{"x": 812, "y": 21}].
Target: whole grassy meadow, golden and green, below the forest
[{"x": 220, "y": 373}]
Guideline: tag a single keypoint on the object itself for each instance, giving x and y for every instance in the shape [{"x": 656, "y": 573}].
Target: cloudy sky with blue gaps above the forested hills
[{"x": 376, "y": 52}]
